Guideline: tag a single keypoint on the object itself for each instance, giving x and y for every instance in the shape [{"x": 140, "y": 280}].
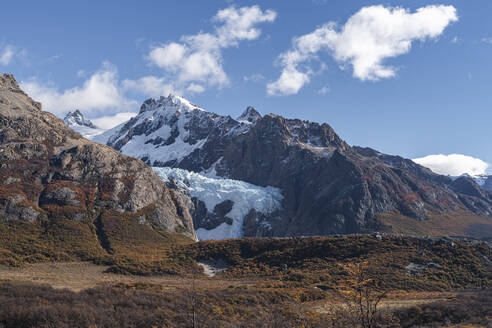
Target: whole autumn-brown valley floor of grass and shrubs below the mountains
[{"x": 156, "y": 279}]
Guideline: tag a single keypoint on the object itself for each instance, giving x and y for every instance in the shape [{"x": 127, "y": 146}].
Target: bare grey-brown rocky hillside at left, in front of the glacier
[{"x": 50, "y": 172}]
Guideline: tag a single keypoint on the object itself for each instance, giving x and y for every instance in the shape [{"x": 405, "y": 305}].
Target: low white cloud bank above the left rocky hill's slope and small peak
[{"x": 99, "y": 93}]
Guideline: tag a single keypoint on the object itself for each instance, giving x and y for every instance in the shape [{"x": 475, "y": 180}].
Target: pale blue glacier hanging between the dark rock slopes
[{"x": 213, "y": 191}]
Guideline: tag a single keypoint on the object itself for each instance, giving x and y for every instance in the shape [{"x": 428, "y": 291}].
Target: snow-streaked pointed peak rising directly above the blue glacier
[{"x": 171, "y": 131}]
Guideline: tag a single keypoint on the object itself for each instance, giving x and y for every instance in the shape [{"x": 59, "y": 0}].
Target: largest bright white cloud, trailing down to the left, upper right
[{"x": 370, "y": 36}]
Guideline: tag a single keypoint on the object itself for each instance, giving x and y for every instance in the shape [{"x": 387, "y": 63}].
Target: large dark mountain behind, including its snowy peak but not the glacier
[{"x": 327, "y": 185}]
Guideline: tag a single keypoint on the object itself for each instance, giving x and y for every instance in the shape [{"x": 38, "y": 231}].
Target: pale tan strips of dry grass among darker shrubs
[{"x": 77, "y": 276}]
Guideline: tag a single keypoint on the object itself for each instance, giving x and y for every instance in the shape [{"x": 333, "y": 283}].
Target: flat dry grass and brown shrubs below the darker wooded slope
[{"x": 83, "y": 294}]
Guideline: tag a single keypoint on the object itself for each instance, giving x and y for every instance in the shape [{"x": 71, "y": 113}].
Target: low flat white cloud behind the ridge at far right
[{"x": 453, "y": 164}]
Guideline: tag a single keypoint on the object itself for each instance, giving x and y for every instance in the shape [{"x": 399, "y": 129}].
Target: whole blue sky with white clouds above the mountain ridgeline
[{"x": 409, "y": 78}]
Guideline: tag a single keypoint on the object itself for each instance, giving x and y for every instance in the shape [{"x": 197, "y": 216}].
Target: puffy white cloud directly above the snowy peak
[{"x": 196, "y": 61}]
